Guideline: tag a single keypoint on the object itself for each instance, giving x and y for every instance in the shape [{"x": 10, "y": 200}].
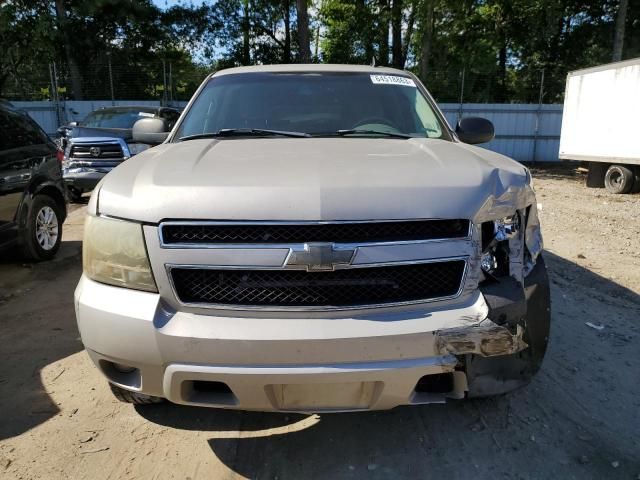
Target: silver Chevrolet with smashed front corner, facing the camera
[{"x": 314, "y": 238}]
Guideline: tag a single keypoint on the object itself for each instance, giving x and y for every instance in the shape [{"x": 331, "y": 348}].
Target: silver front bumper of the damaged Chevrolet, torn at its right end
[{"x": 368, "y": 362}]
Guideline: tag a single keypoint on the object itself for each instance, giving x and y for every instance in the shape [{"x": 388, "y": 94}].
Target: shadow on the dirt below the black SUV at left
[{"x": 37, "y": 328}]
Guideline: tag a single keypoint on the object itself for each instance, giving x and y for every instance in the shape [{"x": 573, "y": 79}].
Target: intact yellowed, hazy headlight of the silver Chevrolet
[{"x": 113, "y": 252}]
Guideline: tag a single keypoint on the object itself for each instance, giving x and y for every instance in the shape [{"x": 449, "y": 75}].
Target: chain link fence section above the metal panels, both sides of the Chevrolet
[{"x": 167, "y": 82}]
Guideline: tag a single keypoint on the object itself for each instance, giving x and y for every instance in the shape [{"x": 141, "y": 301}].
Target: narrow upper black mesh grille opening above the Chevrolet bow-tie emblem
[{"x": 339, "y": 232}]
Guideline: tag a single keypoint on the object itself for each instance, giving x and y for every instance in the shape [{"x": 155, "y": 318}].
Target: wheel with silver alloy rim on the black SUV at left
[{"x": 42, "y": 234}]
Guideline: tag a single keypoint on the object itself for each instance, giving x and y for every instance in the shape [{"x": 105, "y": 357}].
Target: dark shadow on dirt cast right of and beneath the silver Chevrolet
[{"x": 577, "y": 414}]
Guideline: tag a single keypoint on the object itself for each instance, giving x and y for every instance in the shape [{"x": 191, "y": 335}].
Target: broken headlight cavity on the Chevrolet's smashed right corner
[{"x": 495, "y": 244}]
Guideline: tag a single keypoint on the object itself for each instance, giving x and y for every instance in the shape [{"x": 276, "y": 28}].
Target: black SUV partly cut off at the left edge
[{"x": 32, "y": 193}]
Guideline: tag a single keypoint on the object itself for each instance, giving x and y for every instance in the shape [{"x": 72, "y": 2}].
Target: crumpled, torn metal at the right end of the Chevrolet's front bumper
[{"x": 486, "y": 339}]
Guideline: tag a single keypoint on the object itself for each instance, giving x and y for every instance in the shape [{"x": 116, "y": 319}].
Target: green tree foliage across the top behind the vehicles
[{"x": 499, "y": 47}]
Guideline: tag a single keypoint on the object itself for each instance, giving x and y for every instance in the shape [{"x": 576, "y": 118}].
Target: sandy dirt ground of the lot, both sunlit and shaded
[{"x": 580, "y": 418}]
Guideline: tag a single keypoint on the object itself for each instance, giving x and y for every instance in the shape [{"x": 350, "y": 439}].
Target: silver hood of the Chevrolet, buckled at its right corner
[{"x": 314, "y": 179}]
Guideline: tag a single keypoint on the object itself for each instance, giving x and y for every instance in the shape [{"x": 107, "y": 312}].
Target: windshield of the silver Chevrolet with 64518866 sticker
[{"x": 312, "y": 103}]
